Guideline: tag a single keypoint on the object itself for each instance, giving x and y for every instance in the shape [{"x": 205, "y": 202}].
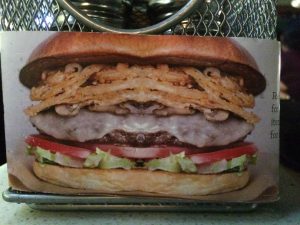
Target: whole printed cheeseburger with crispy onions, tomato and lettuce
[{"x": 147, "y": 115}]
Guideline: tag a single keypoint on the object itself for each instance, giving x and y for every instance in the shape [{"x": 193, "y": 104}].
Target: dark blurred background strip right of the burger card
[{"x": 288, "y": 32}]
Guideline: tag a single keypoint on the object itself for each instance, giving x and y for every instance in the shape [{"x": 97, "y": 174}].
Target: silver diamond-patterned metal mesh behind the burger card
[{"x": 240, "y": 18}]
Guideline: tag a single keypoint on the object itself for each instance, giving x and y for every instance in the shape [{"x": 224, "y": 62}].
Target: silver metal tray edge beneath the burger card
[{"x": 68, "y": 202}]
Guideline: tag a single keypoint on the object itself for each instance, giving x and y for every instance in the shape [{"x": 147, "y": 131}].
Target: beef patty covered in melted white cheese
[{"x": 142, "y": 130}]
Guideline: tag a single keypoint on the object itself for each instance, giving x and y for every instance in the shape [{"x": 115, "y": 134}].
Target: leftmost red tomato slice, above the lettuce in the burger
[{"x": 41, "y": 141}]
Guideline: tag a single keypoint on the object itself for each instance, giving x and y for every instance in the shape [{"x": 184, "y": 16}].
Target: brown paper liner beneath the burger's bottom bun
[{"x": 262, "y": 186}]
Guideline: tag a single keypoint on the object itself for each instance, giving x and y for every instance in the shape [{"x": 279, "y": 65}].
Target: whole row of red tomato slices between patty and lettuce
[{"x": 82, "y": 150}]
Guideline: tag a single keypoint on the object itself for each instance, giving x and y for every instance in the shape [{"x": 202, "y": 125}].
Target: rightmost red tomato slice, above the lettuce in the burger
[{"x": 229, "y": 153}]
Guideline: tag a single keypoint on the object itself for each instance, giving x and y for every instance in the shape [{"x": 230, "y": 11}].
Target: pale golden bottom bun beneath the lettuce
[{"x": 139, "y": 180}]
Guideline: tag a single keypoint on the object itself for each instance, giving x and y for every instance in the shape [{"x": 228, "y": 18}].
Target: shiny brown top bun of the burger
[{"x": 87, "y": 48}]
